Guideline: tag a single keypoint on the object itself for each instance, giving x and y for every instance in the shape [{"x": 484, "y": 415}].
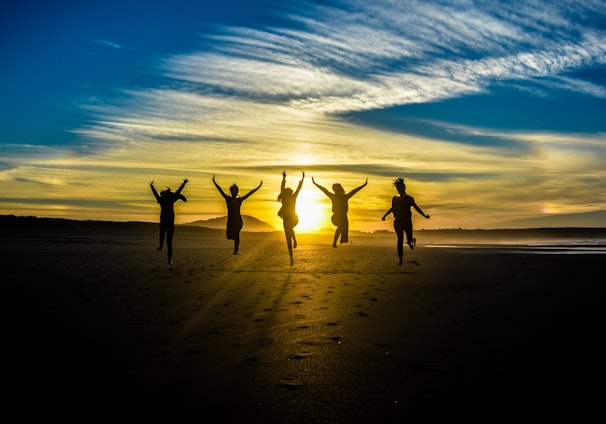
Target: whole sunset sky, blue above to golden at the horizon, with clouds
[{"x": 491, "y": 111}]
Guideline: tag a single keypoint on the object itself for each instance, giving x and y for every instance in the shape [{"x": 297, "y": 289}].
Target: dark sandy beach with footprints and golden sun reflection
[{"x": 98, "y": 325}]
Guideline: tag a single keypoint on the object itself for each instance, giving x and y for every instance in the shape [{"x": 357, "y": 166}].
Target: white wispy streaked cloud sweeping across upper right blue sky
[{"x": 393, "y": 53}]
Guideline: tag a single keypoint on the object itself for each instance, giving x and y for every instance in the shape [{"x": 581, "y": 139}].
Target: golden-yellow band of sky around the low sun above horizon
[{"x": 110, "y": 185}]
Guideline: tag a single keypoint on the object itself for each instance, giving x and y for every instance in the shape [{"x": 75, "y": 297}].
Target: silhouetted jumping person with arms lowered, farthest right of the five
[{"x": 400, "y": 207}]
